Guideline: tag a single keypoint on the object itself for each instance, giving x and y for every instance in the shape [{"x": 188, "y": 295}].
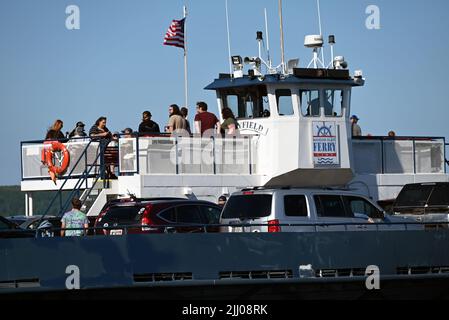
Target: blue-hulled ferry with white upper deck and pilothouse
[{"x": 294, "y": 131}]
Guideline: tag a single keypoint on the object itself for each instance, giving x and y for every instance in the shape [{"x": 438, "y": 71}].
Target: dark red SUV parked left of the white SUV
[{"x": 159, "y": 216}]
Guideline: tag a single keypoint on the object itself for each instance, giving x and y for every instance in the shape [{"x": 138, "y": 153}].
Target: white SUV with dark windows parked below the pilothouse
[{"x": 306, "y": 210}]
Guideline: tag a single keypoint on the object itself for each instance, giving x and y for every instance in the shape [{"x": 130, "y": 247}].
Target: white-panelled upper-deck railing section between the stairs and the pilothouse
[{"x": 186, "y": 155}]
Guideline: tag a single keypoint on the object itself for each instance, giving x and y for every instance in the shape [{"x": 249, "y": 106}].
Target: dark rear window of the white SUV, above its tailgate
[{"x": 248, "y": 206}]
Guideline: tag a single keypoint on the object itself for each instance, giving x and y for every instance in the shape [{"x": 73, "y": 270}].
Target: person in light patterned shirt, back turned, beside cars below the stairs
[{"x": 74, "y": 219}]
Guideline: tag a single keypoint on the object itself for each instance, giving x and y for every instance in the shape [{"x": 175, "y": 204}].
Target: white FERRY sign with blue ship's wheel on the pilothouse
[{"x": 325, "y": 143}]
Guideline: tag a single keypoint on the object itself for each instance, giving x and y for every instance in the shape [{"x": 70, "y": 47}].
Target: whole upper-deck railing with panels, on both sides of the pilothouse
[{"x": 168, "y": 155}]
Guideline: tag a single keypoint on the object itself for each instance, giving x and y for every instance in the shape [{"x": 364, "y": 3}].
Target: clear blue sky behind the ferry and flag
[{"x": 116, "y": 66}]
